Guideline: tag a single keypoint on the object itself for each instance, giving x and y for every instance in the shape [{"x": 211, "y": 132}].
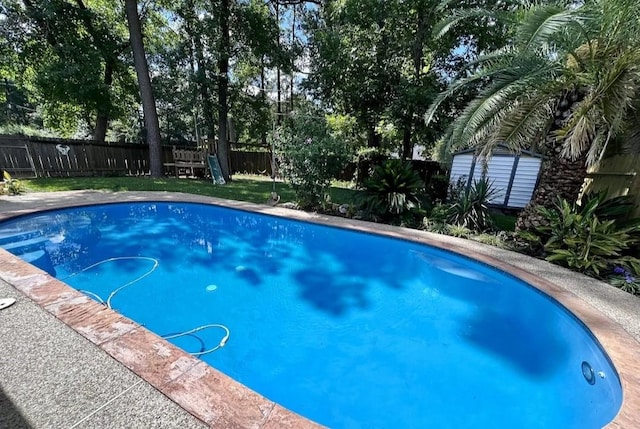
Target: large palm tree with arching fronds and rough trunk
[{"x": 567, "y": 86}]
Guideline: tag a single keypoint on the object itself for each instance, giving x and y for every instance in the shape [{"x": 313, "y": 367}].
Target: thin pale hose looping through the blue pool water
[{"x": 112, "y": 295}]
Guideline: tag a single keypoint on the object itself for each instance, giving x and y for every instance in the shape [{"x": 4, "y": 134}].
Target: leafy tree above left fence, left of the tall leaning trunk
[{"x": 75, "y": 51}]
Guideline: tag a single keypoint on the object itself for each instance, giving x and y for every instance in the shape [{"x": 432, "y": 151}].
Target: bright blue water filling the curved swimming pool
[{"x": 351, "y": 330}]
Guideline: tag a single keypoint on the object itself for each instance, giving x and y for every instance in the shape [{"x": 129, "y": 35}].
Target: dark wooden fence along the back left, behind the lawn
[{"x": 24, "y": 157}]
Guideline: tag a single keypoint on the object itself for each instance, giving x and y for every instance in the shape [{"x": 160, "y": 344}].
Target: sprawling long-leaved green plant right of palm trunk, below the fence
[{"x": 577, "y": 238}]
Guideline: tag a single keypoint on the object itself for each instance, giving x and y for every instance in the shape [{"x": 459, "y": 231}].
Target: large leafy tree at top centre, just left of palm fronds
[{"x": 376, "y": 60}]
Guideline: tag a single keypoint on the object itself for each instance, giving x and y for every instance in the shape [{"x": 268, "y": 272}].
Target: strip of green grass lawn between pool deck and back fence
[{"x": 255, "y": 189}]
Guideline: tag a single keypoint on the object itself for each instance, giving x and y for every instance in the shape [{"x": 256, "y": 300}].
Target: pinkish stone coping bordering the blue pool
[{"x": 215, "y": 398}]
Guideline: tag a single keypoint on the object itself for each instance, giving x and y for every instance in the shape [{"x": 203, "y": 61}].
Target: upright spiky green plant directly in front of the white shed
[{"x": 469, "y": 207}]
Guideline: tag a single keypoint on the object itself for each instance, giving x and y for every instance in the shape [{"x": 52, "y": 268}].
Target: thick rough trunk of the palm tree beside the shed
[{"x": 559, "y": 176}]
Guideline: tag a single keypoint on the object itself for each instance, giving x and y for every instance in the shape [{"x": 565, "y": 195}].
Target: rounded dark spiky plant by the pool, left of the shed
[{"x": 392, "y": 191}]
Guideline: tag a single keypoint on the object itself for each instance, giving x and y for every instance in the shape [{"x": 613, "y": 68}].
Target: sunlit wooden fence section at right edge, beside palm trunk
[{"x": 618, "y": 175}]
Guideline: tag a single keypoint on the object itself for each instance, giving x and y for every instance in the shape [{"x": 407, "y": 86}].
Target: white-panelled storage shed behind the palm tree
[{"x": 513, "y": 176}]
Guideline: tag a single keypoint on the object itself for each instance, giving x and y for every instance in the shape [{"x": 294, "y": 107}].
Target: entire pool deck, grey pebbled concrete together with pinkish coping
[{"x": 125, "y": 376}]
